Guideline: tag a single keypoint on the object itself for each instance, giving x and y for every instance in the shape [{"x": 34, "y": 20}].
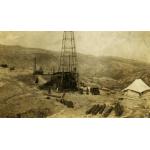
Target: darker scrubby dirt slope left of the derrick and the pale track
[{"x": 18, "y": 98}]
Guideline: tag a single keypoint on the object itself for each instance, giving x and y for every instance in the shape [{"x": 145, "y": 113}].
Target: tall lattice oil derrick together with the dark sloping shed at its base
[{"x": 66, "y": 78}]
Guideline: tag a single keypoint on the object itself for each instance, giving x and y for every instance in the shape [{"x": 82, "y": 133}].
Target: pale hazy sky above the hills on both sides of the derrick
[{"x": 132, "y": 45}]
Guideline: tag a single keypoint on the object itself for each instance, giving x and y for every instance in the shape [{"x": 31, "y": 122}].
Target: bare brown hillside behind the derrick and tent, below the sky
[{"x": 110, "y": 72}]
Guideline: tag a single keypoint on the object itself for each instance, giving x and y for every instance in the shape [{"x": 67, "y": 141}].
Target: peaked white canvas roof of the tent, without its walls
[{"x": 138, "y": 86}]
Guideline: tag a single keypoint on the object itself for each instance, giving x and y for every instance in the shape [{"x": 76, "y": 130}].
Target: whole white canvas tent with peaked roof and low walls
[{"x": 137, "y": 88}]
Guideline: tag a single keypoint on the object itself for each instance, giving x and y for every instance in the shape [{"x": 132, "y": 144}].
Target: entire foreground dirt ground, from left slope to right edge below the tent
[{"x": 21, "y": 97}]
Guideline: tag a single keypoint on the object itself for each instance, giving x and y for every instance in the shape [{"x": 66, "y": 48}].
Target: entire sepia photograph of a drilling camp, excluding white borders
[{"x": 74, "y": 74}]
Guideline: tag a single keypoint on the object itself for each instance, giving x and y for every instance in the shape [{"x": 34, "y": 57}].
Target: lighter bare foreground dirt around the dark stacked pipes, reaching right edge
[{"x": 132, "y": 109}]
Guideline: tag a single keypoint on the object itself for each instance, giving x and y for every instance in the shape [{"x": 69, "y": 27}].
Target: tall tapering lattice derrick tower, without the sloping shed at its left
[{"x": 68, "y": 63}]
